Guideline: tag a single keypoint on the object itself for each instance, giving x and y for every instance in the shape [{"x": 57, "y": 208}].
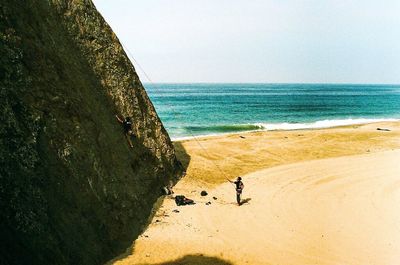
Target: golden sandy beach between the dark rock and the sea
[{"x": 327, "y": 196}]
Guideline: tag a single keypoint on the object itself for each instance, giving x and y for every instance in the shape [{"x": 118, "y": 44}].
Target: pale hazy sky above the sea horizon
[{"x": 259, "y": 41}]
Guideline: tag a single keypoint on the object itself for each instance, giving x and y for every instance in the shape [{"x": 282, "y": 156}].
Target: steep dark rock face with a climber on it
[{"x": 71, "y": 189}]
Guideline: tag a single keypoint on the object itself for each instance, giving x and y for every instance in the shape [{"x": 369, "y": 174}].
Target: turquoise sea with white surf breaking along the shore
[{"x": 201, "y": 109}]
